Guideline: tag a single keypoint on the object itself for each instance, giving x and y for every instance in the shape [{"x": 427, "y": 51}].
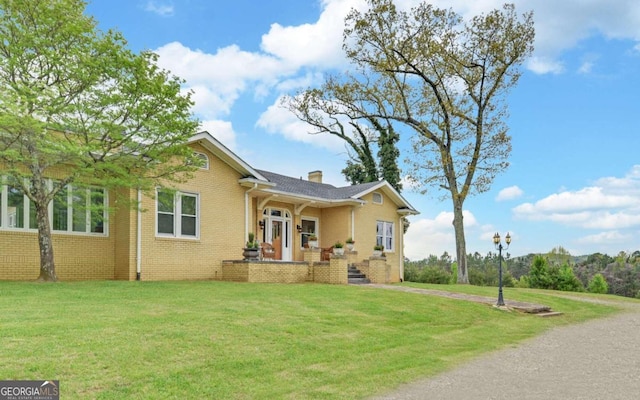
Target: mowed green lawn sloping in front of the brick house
[{"x": 216, "y": 340}]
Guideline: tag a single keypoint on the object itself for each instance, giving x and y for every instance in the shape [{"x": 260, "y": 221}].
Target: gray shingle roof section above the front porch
[{"x": 299, "y": 186}]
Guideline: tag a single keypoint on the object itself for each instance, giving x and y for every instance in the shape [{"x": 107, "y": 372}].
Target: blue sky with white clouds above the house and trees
[{"x": 574, "y": 179}]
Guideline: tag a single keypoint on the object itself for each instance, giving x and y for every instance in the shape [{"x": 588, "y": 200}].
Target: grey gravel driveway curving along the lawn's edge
[{"x": 594, "y": 360}]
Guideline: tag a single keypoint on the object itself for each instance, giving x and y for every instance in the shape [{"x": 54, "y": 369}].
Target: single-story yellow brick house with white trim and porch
[{"x": 189, "y": 234}]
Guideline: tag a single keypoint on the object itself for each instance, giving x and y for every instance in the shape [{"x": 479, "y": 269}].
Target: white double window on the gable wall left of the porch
[{"x": 177, "y": 214}]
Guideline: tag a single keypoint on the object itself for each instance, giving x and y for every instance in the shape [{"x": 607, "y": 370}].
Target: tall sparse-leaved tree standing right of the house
[{"x": 441, "y": 81}]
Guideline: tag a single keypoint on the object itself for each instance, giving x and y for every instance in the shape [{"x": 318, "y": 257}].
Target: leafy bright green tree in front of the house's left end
[{"x": 78, "y": 107}]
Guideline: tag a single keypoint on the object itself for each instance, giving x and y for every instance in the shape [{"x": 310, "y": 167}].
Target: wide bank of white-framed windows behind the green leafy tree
[{"x": 74, "y": 209}]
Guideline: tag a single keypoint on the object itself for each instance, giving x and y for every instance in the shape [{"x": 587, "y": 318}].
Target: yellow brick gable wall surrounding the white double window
[{"x": 221, "y": 226}]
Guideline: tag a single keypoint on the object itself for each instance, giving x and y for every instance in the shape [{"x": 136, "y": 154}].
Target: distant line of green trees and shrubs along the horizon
[{"x": 555, "y": 270}]
